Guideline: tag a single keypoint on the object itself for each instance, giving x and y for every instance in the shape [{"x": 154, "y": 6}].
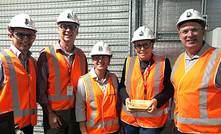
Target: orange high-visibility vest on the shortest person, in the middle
[{"x": 101, "y": 112}]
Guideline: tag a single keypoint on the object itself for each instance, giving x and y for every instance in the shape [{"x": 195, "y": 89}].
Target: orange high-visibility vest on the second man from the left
[{"x": 59, "y": 78}]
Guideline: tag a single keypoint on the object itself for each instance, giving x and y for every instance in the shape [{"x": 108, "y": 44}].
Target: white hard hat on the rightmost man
[{"x": 191, "y": 14}]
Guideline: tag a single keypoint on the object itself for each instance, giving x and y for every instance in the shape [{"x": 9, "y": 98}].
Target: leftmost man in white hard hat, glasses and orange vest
[{"x": 18, "y": 71}]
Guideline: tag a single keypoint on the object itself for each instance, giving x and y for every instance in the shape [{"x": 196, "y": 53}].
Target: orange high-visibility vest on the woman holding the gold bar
[{"x": 135, "y": 89}]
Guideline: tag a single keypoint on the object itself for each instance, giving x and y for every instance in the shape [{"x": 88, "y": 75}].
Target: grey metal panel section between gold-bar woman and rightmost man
[{"x": 162, "y": 16}]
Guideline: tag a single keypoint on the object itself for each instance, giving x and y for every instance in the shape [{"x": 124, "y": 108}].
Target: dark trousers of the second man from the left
[{"x": 68, "y": 121}]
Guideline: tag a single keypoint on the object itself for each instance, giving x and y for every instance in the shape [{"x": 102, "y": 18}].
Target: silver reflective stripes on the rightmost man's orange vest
[{"x": 203, "y": 93}]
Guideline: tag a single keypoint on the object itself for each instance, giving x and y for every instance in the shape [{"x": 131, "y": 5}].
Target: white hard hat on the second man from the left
[{"x": 68, "y": 16}]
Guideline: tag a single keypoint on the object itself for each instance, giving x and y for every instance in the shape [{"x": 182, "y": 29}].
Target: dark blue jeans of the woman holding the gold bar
[{"x": 129, "y": 129}]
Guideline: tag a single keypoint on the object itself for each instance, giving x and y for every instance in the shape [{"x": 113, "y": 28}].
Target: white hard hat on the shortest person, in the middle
[{"x": 101, "y": 48}]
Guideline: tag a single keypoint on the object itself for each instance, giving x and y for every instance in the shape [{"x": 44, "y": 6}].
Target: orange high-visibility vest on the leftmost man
[{"x": 19, "y": 92}]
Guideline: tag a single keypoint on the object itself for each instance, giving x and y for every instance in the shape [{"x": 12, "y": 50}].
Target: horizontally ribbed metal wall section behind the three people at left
[{"x": 100, "y": 20}]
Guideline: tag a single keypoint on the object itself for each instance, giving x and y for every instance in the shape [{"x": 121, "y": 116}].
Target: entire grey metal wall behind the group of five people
[{"x": 112, "y": 21}]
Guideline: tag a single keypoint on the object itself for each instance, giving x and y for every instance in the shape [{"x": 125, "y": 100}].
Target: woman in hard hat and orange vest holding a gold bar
[{"x": 145, "y": 87}]
